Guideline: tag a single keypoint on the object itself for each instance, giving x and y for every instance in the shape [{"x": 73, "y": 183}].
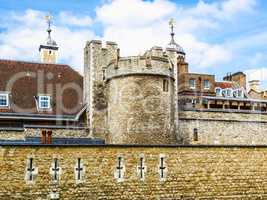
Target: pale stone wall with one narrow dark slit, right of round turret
[{"x": 222, "y": 127}]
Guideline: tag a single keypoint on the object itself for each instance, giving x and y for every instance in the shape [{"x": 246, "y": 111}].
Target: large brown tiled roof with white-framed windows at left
[{"x": 26, "y": 80}]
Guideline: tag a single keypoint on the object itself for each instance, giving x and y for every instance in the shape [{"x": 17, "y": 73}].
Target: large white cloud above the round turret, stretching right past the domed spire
[{"x": 138, "y": 25}]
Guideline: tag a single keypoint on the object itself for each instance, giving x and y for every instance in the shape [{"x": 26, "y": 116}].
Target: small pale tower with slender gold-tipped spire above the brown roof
[{"x": 49, "y": 50}]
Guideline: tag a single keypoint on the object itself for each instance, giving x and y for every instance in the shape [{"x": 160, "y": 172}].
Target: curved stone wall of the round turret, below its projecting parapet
[{"x": 140, "y": 111}]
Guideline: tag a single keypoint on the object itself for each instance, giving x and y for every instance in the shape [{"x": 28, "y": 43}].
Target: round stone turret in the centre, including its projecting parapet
[{"x": 140, "y": 100}]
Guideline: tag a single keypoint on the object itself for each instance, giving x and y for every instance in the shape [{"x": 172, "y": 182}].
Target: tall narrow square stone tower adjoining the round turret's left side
[{"x": 96, "y": 59}]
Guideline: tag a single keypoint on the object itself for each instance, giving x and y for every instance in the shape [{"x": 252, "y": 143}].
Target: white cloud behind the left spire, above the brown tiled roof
[{"x": 28, "y": 30}]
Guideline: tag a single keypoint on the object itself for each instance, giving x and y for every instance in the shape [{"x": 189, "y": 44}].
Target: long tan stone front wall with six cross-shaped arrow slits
[{"x": 228, "y": 173}]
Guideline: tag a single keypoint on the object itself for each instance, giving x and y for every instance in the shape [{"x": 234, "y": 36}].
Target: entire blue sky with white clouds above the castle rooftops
[{"x": 219, "y": 36}]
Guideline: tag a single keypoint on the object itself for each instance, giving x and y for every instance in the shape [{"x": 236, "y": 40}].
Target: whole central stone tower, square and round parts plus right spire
[{"x": 132, "y": 100}]
